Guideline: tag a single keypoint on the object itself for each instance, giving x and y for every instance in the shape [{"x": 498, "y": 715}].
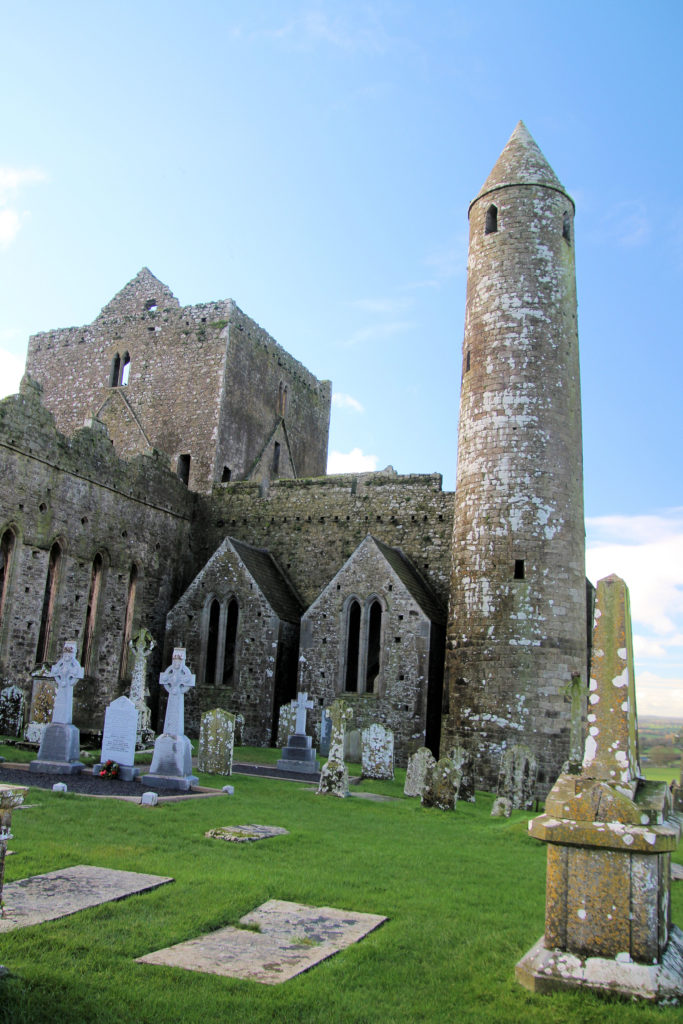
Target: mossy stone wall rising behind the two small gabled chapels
[{"x": 312, "y": 527}]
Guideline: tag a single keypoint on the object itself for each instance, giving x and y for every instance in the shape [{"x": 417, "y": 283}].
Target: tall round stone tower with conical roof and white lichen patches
[{"x": 518, "y": 630}]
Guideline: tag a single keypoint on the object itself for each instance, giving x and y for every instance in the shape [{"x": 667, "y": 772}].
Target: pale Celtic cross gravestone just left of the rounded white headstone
[{"x": 60, "y": 747}]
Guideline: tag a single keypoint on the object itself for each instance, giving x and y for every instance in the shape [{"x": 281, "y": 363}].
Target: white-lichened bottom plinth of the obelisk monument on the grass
[{"x": 544, "y": 970}]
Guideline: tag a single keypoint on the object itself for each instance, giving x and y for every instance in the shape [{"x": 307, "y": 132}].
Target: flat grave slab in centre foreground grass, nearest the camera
[{"x": 291, "y": 940}]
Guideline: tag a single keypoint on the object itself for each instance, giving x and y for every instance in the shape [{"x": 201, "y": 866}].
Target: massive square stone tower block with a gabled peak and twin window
[{"x": 204, "y": 381}]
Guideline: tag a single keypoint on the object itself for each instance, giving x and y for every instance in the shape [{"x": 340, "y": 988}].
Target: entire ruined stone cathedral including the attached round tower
[{"x": 165, "y": 467}]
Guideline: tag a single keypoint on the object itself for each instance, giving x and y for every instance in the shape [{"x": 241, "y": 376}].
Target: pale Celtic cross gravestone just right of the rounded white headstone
[{"x": 173, "y": 761}]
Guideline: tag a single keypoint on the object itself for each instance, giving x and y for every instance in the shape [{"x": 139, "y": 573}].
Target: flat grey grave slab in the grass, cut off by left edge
[{"x": 47, "y": 898}]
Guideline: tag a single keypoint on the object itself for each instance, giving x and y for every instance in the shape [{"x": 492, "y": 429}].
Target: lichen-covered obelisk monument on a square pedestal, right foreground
[{"x": 610, "y": 836}]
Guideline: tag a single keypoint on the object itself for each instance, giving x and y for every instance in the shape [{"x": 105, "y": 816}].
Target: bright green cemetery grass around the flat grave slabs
[{"x": 463, "y": 893}]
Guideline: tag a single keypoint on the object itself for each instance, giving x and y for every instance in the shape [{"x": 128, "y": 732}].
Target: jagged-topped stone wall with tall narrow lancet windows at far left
[{"x": 78, "y": 493}]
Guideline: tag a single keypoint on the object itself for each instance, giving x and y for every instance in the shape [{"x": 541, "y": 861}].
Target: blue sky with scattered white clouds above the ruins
[{"x": 315, "y": 161}]
